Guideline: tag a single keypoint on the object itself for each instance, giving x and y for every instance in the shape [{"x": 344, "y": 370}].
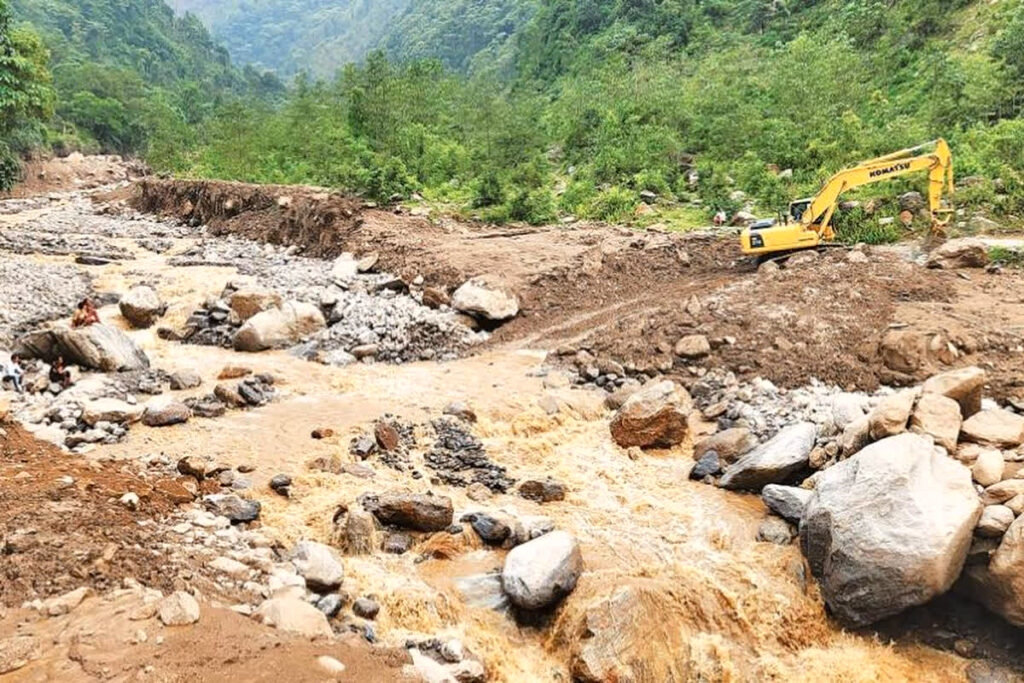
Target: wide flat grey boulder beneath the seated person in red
[{"x": 96, "y": 348}]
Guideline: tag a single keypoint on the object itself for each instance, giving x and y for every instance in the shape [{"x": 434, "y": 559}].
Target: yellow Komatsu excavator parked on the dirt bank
[{"x": 809, "y": 225}]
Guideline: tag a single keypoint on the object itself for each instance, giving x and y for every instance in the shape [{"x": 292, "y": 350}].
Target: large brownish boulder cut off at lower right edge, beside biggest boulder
[{"x": 1000, "y": 585}]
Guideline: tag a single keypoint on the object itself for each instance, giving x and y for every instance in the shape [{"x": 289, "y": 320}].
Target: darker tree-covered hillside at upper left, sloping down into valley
[{"x": 129, "y": 77}]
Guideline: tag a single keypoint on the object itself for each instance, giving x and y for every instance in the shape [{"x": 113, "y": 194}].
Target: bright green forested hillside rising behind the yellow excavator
[{"x": 527, "y": 111}]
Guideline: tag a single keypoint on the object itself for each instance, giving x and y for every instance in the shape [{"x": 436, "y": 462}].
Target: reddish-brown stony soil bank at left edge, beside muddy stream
[{"x": 60, "y": 534}]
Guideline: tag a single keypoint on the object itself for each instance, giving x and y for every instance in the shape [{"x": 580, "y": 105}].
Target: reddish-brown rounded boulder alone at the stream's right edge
[{"x": 655, "y": 416}]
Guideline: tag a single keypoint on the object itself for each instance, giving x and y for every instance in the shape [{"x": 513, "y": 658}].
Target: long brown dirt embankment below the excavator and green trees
[{"x": 631, "y": 296}]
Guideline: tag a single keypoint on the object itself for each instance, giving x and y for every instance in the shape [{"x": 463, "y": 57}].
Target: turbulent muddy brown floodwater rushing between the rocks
[{"x": 675, "y": 586}]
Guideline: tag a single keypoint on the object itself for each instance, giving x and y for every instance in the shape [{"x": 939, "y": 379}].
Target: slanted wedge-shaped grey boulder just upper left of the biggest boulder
[{"x": 776, "y": 461}]
